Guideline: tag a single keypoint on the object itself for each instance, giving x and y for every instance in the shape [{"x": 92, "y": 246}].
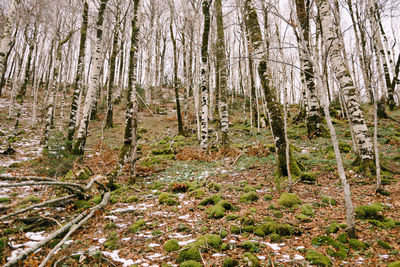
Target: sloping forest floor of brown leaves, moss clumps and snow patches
[{"x": 251, "y": 217}]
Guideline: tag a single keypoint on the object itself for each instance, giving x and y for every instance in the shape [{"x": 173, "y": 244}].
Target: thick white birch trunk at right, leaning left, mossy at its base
[{"x": 346, "y": 85}]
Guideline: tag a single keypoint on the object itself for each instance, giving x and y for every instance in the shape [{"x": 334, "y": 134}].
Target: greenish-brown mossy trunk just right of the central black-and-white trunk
[{"x": 222, "y": 74}]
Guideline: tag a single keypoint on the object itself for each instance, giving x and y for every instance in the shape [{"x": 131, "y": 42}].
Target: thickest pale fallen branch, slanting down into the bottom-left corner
[{"x": 76, "y": 221}]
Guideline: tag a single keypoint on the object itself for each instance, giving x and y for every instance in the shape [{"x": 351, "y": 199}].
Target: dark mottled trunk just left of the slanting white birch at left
[{"x": 79, "y": 77}]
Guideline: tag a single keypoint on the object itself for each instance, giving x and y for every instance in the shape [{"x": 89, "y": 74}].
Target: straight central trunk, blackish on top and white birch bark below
[{"x": 204, "y": 75}]
